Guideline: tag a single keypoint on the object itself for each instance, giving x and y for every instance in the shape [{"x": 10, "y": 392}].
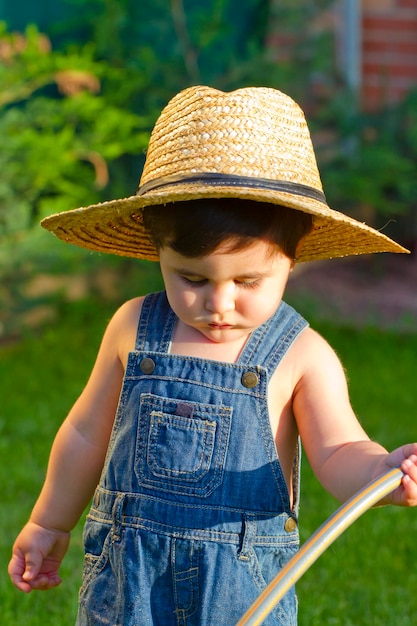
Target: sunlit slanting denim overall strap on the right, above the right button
[{"x": 269, "y": 343}]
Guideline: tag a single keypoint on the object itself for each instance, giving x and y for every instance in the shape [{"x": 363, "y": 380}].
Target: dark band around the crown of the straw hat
[{"x": 230, "y": 180}]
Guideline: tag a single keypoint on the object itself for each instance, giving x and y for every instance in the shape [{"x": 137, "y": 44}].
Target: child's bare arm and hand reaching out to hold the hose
[{"x": 340, "y": 452}]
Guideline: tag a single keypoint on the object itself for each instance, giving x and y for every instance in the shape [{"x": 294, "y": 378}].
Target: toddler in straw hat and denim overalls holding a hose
[{"x": 186, "y": 436}]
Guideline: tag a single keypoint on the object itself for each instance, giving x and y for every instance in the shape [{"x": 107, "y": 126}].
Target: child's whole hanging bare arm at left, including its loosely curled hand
[{"x": 75, "y": 464}]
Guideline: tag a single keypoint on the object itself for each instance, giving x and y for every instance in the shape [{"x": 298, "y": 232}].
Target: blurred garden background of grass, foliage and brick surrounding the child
[{"x": 81, "y": 85}]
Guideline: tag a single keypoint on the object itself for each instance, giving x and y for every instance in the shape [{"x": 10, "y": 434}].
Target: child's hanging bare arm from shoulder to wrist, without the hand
[{"x": 79, "y": 449}]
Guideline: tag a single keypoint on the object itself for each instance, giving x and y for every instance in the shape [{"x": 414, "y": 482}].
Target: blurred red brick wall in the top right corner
[{"x": 389, "y": 51}]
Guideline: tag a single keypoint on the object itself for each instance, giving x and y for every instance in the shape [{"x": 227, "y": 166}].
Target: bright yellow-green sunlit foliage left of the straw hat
[{"x": 60, "y": 131}]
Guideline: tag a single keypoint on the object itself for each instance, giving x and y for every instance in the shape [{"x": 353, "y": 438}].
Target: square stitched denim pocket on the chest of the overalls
[{"x": 181, "y": 446}]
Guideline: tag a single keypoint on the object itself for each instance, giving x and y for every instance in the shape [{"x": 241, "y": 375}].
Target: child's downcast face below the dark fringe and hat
[{"x": 226, "y": 295}]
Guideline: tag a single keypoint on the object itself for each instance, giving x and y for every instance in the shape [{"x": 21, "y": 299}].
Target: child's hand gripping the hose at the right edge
[{"x": 406, "y": 459}]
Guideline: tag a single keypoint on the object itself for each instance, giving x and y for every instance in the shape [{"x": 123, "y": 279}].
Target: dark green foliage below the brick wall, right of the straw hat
[{"x": 372, "y": 172}]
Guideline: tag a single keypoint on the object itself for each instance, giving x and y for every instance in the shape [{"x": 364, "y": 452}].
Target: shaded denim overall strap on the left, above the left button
[{"x": 156, "y": 324}]
